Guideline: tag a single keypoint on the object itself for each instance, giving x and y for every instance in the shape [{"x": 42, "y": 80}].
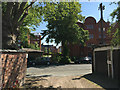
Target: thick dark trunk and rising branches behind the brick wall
[{"x": 10, "y": 23}]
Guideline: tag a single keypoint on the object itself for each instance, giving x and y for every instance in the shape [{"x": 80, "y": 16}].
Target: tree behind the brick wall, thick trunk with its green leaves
[{"x": 17, "y": 16}]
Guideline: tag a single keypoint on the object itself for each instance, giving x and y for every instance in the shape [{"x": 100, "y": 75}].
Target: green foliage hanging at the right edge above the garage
[{"x": 115, "y": 32}]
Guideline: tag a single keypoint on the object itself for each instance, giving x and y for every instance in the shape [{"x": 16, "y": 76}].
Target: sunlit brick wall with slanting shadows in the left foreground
[{"x": 14, "y": 66}]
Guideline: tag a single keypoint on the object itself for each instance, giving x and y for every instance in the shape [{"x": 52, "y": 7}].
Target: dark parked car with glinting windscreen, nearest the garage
[{"x": 84, "y": 60}]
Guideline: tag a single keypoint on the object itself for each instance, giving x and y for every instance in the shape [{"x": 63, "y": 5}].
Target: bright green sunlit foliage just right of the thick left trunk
[{"x": 30, "y": 23}]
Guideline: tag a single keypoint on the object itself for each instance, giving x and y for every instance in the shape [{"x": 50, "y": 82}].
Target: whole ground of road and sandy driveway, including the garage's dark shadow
[{"x": 65, "y": 76}]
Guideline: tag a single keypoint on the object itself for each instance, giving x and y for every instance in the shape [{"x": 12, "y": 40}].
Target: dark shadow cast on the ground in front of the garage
[{"x": 103, "y": 81}]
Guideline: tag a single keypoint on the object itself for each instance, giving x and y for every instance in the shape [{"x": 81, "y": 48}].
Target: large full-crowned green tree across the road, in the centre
[{"x": 62, "y": 28}]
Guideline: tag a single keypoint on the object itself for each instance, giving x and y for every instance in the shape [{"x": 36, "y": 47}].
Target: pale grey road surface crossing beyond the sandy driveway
[{"x": 61, "y": 70}]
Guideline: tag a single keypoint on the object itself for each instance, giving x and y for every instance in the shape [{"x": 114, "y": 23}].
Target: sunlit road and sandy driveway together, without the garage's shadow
[{"x": 62, "y": 76}]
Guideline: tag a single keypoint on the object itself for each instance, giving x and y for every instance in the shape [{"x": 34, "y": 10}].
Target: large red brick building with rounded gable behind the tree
[{"x": 93, "y": 27}]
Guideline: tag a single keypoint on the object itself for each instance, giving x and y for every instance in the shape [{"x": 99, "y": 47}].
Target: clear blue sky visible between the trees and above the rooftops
[{"x": 88, "y": 9}]
